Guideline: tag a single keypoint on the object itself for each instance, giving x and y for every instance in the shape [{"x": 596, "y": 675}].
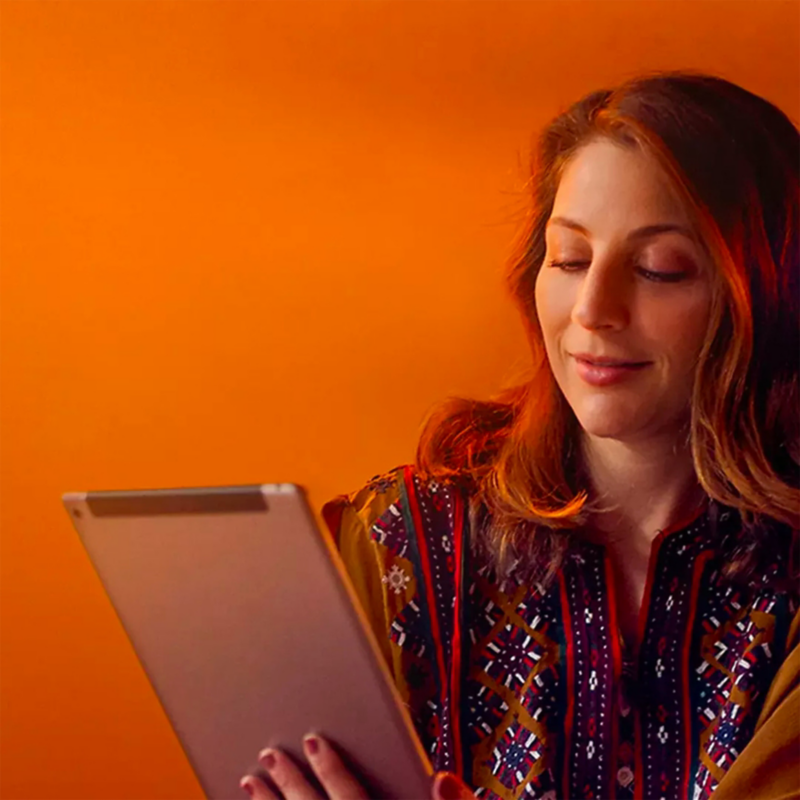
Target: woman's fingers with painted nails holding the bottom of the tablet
[{"x": 337, "y": 781}]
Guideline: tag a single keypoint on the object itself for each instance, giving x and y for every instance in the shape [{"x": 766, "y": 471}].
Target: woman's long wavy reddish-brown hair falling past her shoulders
[{"x": 734, "y": 158}]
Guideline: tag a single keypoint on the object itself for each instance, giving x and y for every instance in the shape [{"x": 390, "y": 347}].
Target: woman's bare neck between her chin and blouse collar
[{"x": 641, "y": 488}]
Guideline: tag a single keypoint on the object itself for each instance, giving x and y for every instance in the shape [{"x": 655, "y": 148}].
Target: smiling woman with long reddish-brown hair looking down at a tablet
[{"x": 586, "y": 588}]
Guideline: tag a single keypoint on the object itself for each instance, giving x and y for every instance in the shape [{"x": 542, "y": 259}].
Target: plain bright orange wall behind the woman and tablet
[{"x": 256, "y": 241}]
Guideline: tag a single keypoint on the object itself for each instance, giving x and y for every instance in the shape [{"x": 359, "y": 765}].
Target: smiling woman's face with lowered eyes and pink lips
[{"x": 624, "y": 281}]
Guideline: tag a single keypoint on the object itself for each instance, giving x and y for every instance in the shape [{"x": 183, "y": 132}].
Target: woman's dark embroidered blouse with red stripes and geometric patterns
[{"x": 527, "y": 692}]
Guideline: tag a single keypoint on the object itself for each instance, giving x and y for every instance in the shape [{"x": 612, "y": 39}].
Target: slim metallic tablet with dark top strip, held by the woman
[{"x": 245, "y": 621}]
